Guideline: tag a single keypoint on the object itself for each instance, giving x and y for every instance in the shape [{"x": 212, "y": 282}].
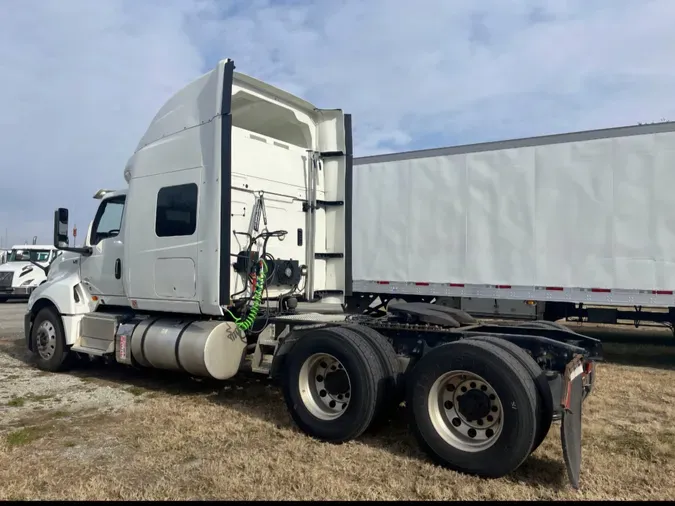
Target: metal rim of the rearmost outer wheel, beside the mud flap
[{"x": 466, "y": 411}]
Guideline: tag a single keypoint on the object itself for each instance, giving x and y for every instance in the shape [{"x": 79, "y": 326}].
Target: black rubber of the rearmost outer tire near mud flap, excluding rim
[{"x": 512, "y": 384}]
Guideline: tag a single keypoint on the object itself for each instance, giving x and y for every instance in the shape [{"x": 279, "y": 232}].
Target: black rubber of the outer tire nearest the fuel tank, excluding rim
[{"x": 365, "y": 373}]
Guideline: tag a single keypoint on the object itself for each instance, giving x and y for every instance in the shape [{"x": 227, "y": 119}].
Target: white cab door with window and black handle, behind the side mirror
[{"x": 101, "y": 272}]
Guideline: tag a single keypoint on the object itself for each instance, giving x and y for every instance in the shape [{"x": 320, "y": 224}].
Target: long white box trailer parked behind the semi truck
[{"x": 530, "y": 228}]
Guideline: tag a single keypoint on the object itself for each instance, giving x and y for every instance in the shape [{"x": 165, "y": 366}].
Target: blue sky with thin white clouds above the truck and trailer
[{"x": 81, "y": 79}]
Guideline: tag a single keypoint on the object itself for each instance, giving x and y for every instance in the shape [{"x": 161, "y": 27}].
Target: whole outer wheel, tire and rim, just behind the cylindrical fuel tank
[{"x": 331, "y": 380}]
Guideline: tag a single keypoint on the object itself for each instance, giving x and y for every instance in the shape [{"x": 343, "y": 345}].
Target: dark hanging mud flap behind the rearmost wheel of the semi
[{"x": 570, "y": 427}]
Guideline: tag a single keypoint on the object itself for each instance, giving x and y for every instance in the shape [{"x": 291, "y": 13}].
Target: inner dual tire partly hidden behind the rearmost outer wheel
[{"x": 544, "y": 396}]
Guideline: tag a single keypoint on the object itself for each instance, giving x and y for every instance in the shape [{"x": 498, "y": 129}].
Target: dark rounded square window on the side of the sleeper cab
[{"x": 176, "y": 213}]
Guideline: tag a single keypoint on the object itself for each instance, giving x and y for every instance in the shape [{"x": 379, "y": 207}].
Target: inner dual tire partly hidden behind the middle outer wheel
[{"x": 392, "y": 394}]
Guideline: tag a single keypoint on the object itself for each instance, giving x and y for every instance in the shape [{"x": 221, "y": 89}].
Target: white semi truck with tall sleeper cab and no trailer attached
[{"x": 230, "y": 250}]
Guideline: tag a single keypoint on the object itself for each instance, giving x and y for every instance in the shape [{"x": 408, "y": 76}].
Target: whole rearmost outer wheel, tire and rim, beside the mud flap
[{"x": 473, "y": 408}]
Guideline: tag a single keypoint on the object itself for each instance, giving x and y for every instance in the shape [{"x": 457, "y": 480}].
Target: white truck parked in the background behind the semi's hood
[{"x": 26, "y": 267}]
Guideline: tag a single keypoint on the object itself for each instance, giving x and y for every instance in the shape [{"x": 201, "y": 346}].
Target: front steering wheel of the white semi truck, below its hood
[{"x": 49, "y": 343}]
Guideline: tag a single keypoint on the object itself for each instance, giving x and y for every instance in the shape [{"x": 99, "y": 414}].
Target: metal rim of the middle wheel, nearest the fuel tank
[{"x": 325, "y": 386}]
